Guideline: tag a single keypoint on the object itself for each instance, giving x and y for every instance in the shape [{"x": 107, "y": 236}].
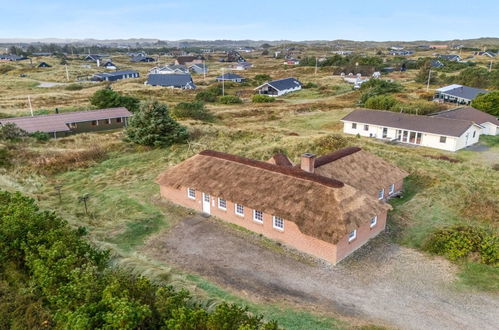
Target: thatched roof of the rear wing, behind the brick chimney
[{"x": 359, "y": 169}]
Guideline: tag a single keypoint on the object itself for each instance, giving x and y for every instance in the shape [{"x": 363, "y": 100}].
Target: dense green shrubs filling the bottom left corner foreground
[{"x": 50, "y": 276}]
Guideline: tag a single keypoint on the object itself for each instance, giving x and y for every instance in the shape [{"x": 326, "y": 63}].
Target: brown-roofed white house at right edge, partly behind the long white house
[{"x": 489, "y": 123}]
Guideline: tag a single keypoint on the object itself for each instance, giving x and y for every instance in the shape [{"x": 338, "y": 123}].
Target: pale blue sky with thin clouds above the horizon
[{"x": 258, "y": 20}]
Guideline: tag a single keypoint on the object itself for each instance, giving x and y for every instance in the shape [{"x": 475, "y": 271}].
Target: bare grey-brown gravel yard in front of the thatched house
[{"x": 384, "y": 283}]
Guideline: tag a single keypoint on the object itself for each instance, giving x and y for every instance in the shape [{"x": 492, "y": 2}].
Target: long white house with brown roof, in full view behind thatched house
[{"x": 433, "y": 132}]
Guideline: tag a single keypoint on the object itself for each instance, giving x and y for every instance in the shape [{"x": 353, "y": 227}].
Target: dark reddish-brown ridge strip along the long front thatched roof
[{"x": 290, "y": 171}]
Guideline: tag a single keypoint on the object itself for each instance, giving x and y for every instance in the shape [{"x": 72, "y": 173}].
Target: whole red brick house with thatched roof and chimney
[{"x": 305, "y": 206}]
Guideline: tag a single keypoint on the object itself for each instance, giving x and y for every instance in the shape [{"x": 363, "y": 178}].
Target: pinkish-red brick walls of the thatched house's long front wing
[{"x": 290, "y": 236}]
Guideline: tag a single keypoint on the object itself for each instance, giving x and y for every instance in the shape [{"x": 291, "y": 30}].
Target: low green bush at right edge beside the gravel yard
[{"x": 461, "y": 242}]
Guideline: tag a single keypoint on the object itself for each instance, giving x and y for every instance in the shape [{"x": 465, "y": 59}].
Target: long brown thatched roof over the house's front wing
[{"x": 321, "y": 207}]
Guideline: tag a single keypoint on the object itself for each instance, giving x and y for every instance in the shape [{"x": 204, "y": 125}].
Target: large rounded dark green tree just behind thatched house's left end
[{"x": 152, "y": 125}]
